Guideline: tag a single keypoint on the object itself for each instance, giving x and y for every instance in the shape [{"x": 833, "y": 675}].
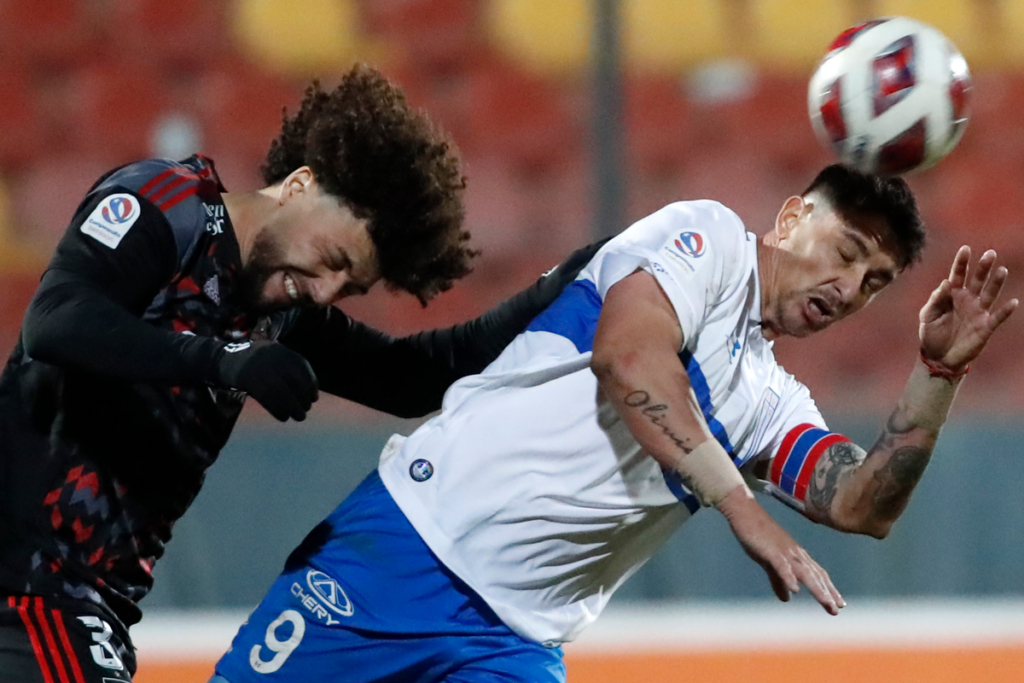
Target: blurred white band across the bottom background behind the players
[{"x": 692, "y": 627}]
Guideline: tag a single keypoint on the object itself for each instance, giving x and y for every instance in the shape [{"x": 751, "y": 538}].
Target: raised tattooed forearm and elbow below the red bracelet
[{"x": 867, "y": 493}]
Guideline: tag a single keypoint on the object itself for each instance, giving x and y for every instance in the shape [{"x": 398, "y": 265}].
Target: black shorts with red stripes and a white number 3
[{"x": 57, "y": 641}]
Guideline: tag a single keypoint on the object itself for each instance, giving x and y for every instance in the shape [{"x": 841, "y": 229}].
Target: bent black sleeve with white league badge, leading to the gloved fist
[{"x": 87, "y": 313}]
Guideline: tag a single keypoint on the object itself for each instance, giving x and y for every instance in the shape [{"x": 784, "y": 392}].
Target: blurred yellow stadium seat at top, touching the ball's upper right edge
[{"x": 961, "y": 21}]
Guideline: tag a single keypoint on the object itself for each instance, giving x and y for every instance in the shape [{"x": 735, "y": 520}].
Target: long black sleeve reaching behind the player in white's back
[{"x": 408, "y": 377}]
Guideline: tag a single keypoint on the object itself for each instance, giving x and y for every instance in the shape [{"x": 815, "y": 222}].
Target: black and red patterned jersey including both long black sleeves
[{"x": 108, "y": 428}]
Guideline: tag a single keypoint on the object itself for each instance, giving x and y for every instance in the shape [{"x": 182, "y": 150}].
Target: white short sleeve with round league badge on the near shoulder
[{"x": 695, "y": 250}]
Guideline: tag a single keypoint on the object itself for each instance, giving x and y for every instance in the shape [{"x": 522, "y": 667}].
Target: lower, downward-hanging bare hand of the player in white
[{"x": 771, "y": 546}]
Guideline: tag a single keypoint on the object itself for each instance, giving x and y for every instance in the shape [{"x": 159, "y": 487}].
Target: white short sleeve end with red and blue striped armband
[{"x": 797, "y": 443}]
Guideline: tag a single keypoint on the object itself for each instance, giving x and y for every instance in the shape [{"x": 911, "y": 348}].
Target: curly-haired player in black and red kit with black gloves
[{"x": 167, "y": 303}]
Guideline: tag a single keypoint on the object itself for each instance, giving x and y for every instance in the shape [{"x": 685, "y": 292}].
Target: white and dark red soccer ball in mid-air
[{"x": 890, "y": 97}]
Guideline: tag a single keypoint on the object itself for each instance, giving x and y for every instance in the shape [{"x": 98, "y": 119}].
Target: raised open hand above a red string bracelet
[{"x": 963, "y": 312}]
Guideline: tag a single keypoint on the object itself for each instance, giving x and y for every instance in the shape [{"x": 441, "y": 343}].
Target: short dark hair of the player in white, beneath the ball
[{"x": 855, "y": 195}]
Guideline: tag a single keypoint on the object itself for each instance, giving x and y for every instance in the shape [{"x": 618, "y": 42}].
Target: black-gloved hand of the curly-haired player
[{"x": 276, "y": 376}]
